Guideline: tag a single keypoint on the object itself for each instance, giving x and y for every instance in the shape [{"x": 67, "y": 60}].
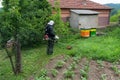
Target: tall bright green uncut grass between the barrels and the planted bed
[{"x": 104, "y": 47}]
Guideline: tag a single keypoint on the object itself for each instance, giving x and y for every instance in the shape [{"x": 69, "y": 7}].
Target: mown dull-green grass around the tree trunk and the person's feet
[{"x": 32, "y": 59}]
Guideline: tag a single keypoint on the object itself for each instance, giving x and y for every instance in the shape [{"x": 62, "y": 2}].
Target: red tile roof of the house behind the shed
[{"x": 81, "y": 4}]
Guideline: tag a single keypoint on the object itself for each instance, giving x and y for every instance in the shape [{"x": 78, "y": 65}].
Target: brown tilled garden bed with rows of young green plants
[{"x": 74, "y": 68}]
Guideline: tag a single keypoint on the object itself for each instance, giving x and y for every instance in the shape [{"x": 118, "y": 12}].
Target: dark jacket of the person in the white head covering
[{"x": 49, "y": 31}]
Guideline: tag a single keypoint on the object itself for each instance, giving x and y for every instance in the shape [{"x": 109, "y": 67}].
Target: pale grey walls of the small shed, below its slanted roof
[{"x": 86, "y": 21}]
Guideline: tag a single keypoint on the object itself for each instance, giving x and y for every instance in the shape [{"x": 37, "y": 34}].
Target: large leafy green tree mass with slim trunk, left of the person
[{"x": 23, "y": 20}]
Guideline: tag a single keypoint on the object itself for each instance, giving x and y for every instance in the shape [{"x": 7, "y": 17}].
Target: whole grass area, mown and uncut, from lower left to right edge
[{"x": 33, "y": 60}]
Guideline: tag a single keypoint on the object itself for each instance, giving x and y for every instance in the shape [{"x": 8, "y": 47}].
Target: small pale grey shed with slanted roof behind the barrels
[{"x": 84, "y": 19}]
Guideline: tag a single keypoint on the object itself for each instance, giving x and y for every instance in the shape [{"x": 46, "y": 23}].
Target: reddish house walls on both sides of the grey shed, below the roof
[{"x": 103, "y": 17}]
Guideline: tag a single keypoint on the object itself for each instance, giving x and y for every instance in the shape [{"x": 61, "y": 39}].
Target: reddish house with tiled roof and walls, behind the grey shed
[{"x": 68, "y": 5}]
